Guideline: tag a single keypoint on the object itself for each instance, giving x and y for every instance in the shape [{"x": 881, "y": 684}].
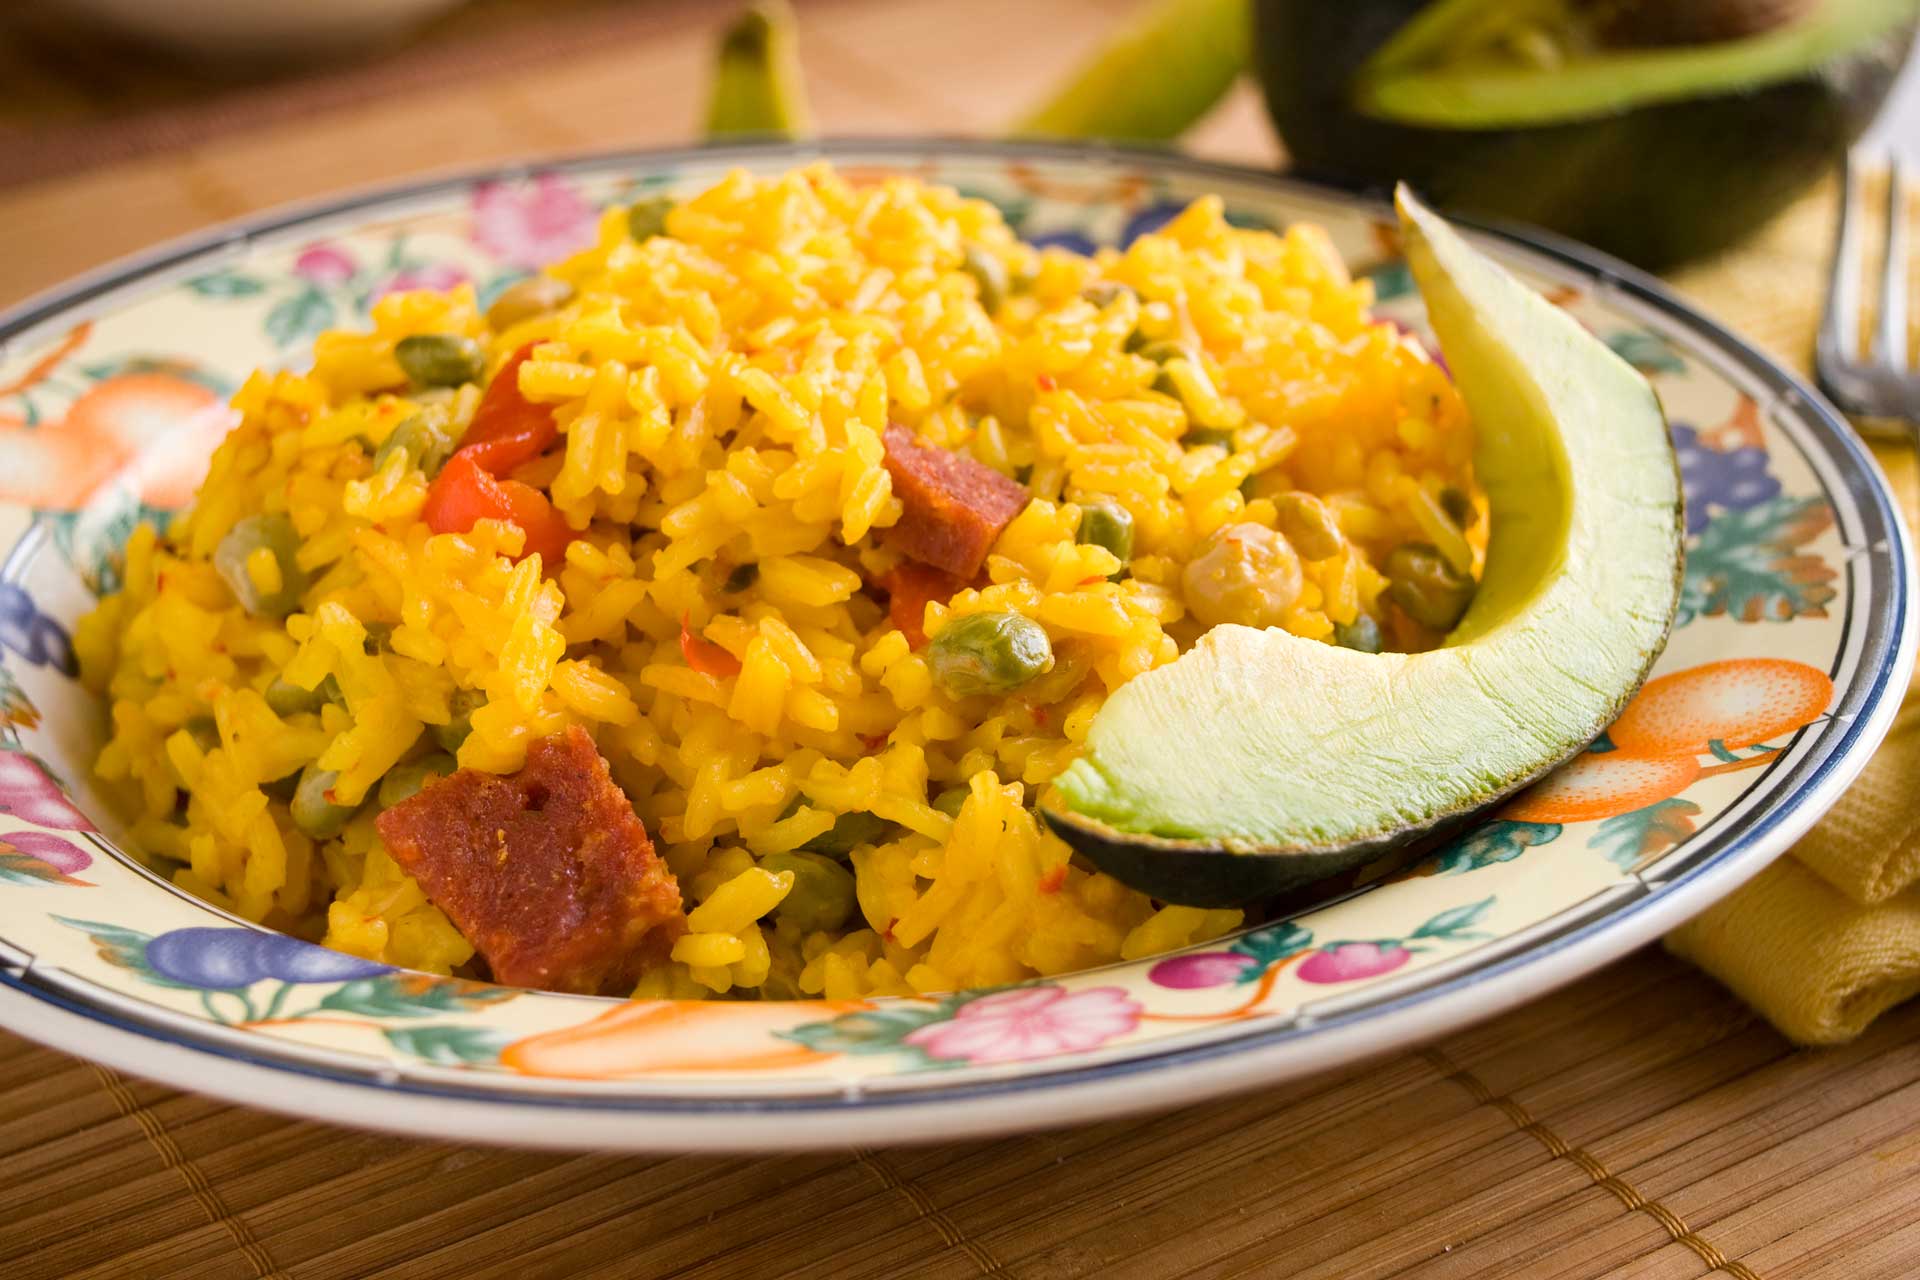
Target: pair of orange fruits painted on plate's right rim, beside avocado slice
[{"x": 1717, "y": 707}]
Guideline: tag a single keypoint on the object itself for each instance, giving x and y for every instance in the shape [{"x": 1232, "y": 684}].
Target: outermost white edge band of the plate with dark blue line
[{"x": 1055, "y": 1095}]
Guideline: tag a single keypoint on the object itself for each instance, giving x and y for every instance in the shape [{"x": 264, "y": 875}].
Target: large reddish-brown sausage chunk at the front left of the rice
[{"x": 548, "y": 872}]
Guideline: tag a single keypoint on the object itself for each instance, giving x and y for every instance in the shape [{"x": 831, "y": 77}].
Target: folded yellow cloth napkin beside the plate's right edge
[{"x": 1829, "y": 937}]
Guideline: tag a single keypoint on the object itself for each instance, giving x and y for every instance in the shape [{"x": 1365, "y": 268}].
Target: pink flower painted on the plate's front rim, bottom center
[{"x": 1030, "y": 1022}]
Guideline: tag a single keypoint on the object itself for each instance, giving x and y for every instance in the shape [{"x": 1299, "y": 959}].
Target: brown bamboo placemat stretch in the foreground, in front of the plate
[{"x": 1637, "y": 1126}]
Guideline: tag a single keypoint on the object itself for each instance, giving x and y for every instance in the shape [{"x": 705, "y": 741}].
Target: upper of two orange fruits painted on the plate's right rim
[{"x": 1735, "y": 703}]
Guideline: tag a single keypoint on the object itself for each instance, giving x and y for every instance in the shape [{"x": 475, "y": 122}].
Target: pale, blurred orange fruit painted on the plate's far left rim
[{"x": 155, "y": 429}]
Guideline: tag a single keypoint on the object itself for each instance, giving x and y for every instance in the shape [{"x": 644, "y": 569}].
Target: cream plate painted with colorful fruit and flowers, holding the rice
[{"x": 1792, "y": 650}]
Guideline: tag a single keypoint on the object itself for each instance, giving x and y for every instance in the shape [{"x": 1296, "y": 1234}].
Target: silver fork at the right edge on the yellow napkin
[{"x": 1881, "y": 387}]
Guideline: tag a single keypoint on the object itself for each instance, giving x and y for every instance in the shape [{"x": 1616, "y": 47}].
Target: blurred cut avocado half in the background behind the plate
[{"x": 1537, "y": 110}]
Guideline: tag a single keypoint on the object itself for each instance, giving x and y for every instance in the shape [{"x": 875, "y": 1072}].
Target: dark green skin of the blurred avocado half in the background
[{"x": 1656, "y": 185}]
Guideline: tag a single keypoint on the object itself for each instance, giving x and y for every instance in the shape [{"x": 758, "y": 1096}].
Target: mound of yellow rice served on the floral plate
[{"x": 723, "y": 391}]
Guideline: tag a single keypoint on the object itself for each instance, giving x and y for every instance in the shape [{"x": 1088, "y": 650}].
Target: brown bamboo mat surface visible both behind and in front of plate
[{"x": 1639, "y": 1124}]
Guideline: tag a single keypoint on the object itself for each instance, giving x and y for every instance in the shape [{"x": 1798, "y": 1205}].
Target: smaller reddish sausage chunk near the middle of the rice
[{"x": 953, "y": 508}]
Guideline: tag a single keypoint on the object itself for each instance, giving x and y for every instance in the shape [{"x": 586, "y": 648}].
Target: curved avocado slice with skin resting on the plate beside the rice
[{"x": 1260, "y": 761}]
